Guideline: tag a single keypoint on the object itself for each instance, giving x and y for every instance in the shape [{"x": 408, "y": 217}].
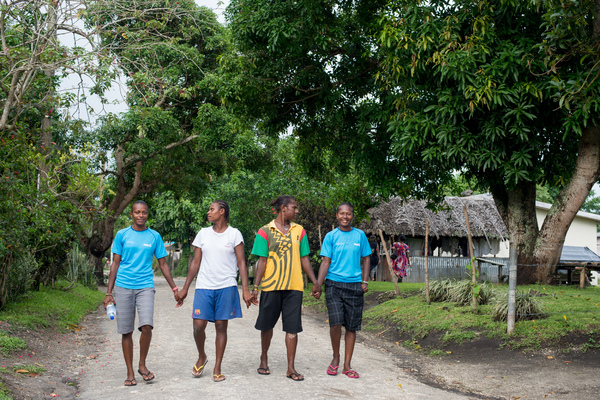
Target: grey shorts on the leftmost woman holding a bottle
[{"x": 127, "y": 301}]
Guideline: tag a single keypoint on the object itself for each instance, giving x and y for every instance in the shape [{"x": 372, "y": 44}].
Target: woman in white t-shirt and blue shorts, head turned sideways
[{"x": 218, "y": 255}]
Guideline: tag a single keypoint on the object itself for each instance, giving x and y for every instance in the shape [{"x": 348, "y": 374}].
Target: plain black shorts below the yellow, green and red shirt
[{"x": 287, "y": 303}]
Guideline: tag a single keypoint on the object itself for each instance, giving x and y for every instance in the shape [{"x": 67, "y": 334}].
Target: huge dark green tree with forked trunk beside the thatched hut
[{"x": 416, "y": 91}]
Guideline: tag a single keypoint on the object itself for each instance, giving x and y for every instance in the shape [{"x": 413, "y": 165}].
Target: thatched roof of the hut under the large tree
[{"x": 407, "y": 217}]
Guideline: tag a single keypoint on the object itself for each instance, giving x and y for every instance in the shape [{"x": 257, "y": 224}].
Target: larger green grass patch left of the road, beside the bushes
[{"x": 52, "y": 307}]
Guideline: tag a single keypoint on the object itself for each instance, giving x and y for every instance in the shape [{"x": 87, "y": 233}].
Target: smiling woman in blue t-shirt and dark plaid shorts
[{"x": 345, "y": 271}]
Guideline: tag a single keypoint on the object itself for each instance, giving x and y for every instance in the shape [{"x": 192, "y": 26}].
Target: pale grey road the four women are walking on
[{"x": 173, "y": 353}]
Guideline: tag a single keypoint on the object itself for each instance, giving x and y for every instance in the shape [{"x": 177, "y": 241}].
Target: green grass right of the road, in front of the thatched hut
[{"x": 570, "y": 311}]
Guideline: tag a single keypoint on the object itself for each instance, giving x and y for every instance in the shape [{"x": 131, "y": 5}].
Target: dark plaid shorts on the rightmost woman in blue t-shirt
[{"x": 345, "y": 303}]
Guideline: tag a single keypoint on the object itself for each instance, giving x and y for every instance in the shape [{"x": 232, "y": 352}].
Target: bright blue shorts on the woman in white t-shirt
[{"x": 217, "y": 304}]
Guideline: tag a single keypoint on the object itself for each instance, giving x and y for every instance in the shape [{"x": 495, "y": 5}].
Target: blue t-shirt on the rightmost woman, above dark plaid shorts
[{"x": 345, "y": 250}]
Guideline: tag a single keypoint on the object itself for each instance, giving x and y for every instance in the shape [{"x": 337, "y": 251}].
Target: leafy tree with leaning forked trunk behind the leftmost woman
[{"x": 175, "y": 134}]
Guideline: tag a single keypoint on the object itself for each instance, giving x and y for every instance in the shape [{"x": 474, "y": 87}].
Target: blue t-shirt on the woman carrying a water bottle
[{"x": 136, "y": 249}]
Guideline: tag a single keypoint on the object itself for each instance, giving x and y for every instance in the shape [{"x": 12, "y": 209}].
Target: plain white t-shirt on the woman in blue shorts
[{"x": 218, "y": 268}]
